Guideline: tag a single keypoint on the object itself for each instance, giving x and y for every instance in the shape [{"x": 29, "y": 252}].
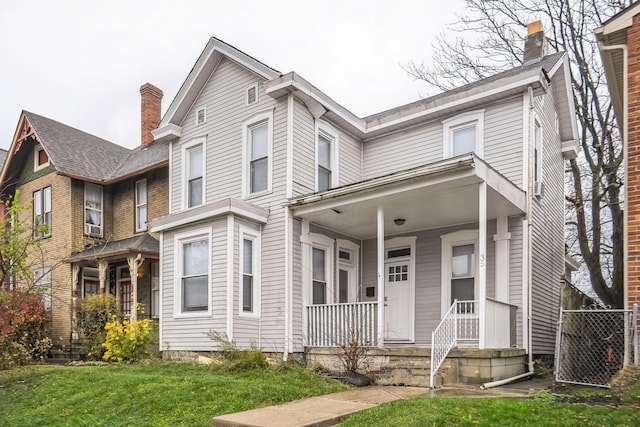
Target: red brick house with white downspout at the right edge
[{"x": 619, "y": 40}]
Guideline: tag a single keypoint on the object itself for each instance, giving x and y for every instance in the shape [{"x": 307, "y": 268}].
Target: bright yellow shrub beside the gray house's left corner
[{"x": 129, "y": 341}]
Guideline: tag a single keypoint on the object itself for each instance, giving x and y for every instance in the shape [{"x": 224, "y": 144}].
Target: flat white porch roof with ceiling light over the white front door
[{"x": 435, "y": 195}]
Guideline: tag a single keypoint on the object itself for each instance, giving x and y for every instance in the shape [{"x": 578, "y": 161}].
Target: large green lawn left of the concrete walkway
[{"x": 157, "y": 394}]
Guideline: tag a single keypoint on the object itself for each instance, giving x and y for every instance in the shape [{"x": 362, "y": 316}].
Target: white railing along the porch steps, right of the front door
[{"x": 459, "y": 325}]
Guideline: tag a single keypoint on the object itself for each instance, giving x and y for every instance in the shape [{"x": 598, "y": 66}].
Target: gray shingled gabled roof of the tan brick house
[{"x": 83, "y": 156}]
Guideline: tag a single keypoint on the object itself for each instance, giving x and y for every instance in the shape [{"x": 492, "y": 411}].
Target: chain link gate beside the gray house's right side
[{"x": 590, "y": 346}]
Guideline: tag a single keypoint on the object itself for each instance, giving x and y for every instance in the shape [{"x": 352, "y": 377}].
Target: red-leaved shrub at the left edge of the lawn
[{"x": 24, "y": 328}]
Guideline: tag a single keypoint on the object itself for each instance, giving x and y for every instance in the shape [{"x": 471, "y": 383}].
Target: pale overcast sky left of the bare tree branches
[{"x": 82, "y": 62}]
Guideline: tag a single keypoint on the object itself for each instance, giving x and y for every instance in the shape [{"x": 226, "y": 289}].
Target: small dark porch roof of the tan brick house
[{"x": 143, "y": 244}]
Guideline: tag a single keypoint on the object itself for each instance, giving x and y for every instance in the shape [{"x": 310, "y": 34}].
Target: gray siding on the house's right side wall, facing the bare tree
[{"x": 547, "y": 234}]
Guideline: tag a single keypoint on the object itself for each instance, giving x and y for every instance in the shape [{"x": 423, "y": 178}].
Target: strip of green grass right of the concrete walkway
[{"x": 441, "y": 411}]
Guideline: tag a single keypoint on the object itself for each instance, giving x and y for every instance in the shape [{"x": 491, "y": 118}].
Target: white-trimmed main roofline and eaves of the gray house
[{"x": 551, "y": 71}]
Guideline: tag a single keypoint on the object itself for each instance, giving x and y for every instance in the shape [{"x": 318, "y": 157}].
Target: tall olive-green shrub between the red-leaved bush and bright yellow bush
[{"x": 93, "y": 314}]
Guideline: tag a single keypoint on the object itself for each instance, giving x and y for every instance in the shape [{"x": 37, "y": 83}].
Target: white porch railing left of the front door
[{"x": 338, "y": 325}]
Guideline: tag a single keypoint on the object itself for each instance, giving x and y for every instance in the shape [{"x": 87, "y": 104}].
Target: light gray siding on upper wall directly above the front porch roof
[{"x": 503, "y": 136}]
